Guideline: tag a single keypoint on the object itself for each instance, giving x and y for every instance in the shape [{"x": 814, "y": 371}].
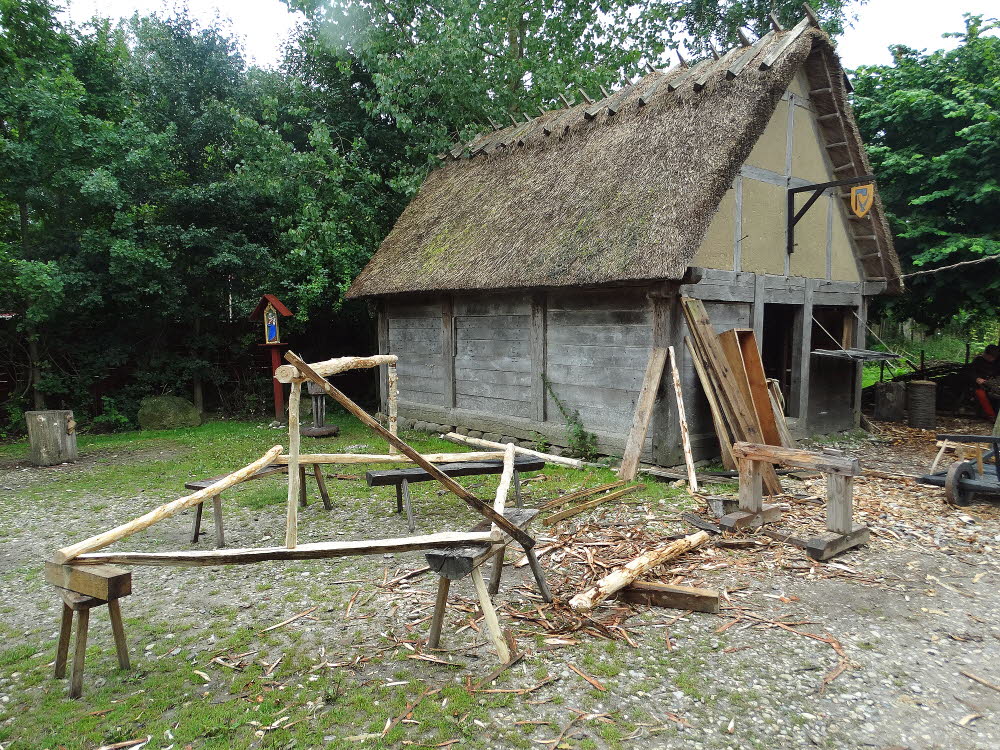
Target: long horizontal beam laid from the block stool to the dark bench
[{"x": 312, "y": 551}]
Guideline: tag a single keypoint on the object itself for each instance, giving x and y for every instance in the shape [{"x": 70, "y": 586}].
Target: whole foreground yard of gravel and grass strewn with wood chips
[{"x": 868, "y": 650}]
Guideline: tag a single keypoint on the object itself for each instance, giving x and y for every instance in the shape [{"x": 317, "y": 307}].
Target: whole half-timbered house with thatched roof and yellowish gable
[{"x": 555, "y": 251}]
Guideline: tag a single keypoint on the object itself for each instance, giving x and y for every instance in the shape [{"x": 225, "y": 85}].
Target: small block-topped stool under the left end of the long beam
[{"x": 110, "y": 583}]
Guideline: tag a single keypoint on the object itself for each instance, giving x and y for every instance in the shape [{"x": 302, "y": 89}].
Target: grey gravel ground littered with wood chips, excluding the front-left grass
[{"x": 909, "y": 614}]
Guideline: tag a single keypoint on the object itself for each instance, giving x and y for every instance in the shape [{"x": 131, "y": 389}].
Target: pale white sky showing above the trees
[{"x": 265, "y": 24}]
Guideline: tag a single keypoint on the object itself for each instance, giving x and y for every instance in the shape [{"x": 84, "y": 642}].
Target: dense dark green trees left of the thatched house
[{"x": 152, "y": 186}]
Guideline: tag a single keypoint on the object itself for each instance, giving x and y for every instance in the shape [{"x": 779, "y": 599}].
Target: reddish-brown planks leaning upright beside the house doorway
[{"x": 732, "y": 375}]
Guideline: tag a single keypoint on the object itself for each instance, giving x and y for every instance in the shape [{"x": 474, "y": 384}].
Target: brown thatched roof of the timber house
[{"x": 615, "y": 191}]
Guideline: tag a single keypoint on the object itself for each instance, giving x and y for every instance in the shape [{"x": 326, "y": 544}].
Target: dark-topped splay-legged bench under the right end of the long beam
[{"x": 456, "y": 563}]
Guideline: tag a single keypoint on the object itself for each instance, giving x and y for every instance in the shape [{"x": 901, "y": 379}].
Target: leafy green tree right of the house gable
[{"x": 931, "y": 123}]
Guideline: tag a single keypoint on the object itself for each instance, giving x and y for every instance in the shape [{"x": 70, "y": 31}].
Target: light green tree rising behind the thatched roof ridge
[{"x": 443, "y": 69}]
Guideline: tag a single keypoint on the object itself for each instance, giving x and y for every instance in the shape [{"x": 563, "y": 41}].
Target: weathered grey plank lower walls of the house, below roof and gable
[{"x": 480, "y": 360}]
